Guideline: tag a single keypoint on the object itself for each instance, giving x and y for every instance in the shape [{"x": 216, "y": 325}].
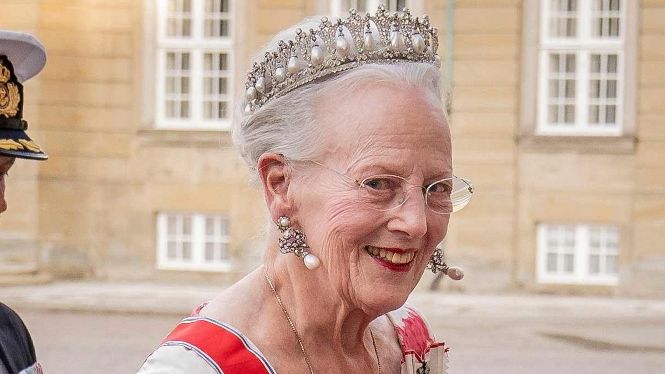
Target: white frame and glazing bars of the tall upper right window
[{"x": 582, "y": 46}]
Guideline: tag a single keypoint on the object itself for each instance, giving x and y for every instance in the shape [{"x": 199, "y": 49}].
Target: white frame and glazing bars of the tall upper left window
[{"x": 197, "y": 45}]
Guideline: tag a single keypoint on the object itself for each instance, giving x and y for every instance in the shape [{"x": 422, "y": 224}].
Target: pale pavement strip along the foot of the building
[{"x": 180, "y": 299}]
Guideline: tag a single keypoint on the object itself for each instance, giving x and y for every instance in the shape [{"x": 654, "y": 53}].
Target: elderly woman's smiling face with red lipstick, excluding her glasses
[{"x": 382, "y": 129}]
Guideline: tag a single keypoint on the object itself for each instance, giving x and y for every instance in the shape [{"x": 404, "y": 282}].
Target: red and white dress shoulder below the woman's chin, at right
[{"x": 412, "y": 332}]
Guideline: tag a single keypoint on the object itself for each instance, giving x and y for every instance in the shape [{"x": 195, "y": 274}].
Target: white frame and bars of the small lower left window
[{"x": 198, "y": 239}]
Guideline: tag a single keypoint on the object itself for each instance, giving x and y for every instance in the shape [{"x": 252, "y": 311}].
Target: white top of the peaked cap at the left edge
[{"x": 25, "y": 52}]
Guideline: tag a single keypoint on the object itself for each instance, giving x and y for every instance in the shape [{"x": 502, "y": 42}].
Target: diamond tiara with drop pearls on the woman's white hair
[{"x": 383, "y": 38}]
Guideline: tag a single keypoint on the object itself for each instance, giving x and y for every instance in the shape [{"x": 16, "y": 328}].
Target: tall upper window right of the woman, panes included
[{"x": 581, "y": 67}]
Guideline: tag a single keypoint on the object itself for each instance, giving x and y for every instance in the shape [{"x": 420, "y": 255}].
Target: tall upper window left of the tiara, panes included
[{"x": 194, "y": 72}]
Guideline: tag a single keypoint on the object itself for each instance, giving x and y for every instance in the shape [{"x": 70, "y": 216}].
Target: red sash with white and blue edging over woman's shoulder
[{"x": 223, "y": 347}]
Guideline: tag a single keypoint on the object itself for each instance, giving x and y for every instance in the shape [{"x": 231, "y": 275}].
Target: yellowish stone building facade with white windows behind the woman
[{"x": 555, "y": 115}]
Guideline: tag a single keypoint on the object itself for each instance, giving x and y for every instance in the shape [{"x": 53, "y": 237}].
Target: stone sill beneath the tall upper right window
[{"x": 577, "y": 144}]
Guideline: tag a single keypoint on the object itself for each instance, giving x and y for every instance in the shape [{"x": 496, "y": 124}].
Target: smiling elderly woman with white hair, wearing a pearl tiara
[{"x": 344, "y": 127}]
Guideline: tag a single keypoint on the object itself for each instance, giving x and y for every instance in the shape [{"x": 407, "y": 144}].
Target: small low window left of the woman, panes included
[{"x": 193, "y": 242}]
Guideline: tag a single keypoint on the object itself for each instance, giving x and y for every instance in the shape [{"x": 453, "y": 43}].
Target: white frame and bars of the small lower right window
[{"x": 582, "y": 251}]
